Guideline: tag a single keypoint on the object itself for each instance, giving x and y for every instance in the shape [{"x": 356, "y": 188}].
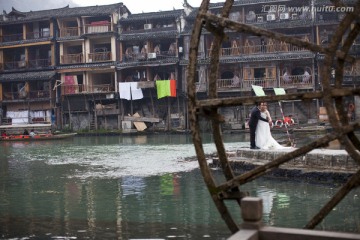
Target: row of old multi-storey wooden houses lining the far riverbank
[{"x": 96, "y": 67}]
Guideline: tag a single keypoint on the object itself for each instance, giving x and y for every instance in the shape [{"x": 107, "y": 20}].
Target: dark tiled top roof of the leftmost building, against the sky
[{"x": 61, "y": 12}]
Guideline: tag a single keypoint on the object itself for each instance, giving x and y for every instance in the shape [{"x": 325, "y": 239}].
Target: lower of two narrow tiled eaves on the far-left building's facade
[{"x": 27, "y": 76}]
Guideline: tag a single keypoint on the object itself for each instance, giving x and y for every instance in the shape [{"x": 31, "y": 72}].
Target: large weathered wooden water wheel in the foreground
[{"x": 336, "y": 53}]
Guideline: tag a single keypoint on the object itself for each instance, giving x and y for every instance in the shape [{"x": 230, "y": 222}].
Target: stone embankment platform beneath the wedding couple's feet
[{"x": 320, "y": 165}]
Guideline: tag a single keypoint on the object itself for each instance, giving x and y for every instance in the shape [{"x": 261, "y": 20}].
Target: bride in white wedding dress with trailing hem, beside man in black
[{"x": 263, "y": 137}]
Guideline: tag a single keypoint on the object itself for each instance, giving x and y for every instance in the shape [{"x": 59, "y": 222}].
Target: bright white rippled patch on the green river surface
[{"x": 114, "y": 161}]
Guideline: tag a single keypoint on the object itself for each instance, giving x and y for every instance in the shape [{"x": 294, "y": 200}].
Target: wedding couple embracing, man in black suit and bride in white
[{"x": 259, "y": 124}]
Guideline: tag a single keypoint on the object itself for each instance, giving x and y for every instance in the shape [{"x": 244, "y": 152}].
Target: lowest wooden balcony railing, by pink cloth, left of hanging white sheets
[{"x": 80, "y": 88}]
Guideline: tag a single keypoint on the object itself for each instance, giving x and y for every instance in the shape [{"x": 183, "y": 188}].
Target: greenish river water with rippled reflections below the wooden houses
[{"x": 137, "y": 187}]
